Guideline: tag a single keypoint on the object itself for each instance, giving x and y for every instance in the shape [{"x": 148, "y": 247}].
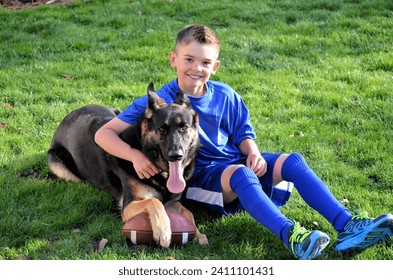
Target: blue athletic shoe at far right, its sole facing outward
[{"x": 362, "y": 232}]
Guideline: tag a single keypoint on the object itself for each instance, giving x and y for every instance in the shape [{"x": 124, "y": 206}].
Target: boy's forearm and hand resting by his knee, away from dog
[{"x": 255, "y": 161}]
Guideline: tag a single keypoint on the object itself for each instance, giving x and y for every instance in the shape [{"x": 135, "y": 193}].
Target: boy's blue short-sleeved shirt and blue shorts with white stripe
[{"x": 224, "y": 122}]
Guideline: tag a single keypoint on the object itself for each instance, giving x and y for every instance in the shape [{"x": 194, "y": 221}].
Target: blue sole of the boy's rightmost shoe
[{"x": 377, "y": 232}]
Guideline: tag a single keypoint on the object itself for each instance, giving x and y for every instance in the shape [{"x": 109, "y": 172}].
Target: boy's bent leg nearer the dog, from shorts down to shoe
[{"x": 206, "y": 187}]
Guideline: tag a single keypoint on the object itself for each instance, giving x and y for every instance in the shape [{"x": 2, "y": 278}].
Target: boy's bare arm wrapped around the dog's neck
[{"x": 107, "y": 137}]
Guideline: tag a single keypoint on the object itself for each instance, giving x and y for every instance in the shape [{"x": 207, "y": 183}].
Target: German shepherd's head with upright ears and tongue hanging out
[{"x": 170, "y": 132}]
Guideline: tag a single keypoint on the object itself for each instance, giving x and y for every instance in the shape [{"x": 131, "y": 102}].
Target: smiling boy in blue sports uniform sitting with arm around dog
[{"x": 231, "y": 174}]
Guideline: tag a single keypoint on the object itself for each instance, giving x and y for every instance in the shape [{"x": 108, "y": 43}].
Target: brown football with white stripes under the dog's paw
[{"x": 139, "y": 231}]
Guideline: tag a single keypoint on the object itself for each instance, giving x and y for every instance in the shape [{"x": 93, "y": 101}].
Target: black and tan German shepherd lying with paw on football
[{"x": 167, "y": 134}]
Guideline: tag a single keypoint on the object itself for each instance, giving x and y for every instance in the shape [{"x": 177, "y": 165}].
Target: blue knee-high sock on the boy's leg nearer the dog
[{"x": 248, "y": 189}]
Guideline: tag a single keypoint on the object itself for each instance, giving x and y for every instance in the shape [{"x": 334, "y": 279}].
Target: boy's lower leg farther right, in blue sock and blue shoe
[{"x": 355, "y": 232}]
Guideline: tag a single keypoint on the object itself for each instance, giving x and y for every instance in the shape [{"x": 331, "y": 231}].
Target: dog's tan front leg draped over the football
[{"x": 159, "y": 219}]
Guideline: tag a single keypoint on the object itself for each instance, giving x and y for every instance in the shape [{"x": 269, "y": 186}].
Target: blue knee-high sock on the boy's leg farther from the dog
[{"x": 314, "y": 191}]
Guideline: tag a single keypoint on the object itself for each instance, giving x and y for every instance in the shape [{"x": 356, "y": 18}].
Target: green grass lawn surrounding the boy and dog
[{"x": 317, "y": 77}]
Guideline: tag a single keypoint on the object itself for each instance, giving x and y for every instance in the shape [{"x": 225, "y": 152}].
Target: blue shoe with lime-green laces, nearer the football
[{"x": 307, "y": 245}]
